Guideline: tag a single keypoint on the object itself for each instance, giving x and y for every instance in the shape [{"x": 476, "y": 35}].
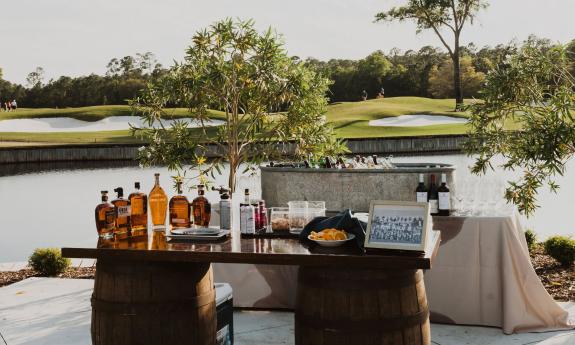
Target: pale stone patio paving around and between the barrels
[{"x": 48, "y": 311}]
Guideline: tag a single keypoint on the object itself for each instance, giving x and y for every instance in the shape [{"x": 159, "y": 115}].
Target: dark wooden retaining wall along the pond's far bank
[{"x": 99, "y": 152}]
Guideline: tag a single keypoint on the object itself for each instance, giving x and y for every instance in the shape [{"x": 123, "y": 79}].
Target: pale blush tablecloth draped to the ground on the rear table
[{"x": 481, "y": 276}]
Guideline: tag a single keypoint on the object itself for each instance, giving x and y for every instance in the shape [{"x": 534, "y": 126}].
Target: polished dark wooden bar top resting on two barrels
[{"x": 273, "y": 251}]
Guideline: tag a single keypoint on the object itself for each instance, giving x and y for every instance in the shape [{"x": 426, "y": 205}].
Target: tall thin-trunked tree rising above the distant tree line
[{"x": 451, "y": 15}]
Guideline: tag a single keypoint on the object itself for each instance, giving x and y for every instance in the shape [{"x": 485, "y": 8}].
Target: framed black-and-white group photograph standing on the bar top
[{"x": 397, "y": 225}]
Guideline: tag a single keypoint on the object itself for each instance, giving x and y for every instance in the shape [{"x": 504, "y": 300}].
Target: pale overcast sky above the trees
[{"x": 74, "y": 37}]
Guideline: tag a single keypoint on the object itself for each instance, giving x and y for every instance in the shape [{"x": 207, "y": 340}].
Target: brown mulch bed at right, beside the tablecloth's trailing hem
[{"x": 558, "y": 280}]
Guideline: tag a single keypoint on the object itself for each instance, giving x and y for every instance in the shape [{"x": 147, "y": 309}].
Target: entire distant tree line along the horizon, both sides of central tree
[{"x": 427, "y": 72}]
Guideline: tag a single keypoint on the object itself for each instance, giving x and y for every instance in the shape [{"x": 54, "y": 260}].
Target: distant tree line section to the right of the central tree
[{"x": 427, "y": 72}]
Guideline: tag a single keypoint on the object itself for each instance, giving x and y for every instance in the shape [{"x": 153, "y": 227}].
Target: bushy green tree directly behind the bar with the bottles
[{"x": 264, "y": 97}]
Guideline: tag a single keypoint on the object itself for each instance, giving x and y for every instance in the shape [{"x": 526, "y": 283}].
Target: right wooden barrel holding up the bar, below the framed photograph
[{"x": 361, "y": 306}]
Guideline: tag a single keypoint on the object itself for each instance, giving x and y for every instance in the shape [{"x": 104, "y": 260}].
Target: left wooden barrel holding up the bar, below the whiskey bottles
[{"x": 153, "y": 304}]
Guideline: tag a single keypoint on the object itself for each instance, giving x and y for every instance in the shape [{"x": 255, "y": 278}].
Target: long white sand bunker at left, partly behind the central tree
[{"x": 66, "y": 124}]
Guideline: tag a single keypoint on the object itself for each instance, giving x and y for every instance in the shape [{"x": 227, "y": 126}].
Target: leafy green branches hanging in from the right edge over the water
[{"x": 534, "y": 91}]
